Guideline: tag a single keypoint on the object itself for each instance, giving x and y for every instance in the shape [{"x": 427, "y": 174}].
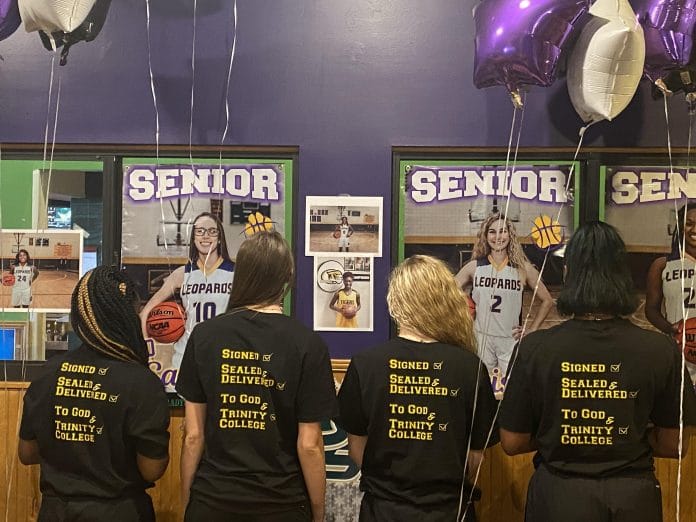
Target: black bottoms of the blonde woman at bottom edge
[{"x": 373, "y": 509}]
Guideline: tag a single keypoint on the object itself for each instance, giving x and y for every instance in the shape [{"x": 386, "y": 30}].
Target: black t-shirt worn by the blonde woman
[{"x": 415, "y": 403}]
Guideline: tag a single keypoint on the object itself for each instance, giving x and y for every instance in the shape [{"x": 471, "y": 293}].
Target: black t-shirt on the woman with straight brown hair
[{"x": 260, "y": 375}]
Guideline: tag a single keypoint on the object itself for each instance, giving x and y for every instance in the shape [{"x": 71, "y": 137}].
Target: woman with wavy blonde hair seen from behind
[{"x": 419, "y": 407}]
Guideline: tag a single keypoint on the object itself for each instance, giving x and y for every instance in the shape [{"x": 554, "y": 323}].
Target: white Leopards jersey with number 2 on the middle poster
[{"x": 498, "y": 298}]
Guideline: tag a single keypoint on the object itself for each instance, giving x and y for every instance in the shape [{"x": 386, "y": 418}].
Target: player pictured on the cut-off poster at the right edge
[{"x": 670, "y": 294}]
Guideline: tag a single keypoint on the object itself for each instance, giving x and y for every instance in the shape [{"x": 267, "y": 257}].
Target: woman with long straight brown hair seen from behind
[{"x": 257, "y": 385}]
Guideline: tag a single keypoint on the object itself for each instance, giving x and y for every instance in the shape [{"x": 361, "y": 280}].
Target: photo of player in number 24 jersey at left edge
[{"x": 40, "y": 269}]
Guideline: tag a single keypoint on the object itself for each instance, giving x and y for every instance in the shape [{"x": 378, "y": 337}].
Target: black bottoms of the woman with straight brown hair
[{"x": 198, "y": 511}]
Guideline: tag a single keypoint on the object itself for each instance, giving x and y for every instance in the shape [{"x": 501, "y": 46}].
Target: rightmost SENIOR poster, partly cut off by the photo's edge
[{"x": 649, "y": 206}]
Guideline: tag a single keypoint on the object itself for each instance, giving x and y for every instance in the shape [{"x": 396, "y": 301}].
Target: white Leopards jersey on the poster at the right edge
[{"x": 678, "y": 288}]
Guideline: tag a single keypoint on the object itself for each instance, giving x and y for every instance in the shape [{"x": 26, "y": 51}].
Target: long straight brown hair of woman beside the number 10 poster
[{"x": 263, "y": 272}]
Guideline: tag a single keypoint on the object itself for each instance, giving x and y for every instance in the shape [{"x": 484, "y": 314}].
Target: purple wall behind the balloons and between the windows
[{"x": 345, "y": 81}]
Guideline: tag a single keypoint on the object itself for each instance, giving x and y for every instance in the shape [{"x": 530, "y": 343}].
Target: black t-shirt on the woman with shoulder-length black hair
[{"x": 587, "y": 390}]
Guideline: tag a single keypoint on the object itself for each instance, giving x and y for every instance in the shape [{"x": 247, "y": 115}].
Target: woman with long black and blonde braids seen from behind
[{"x": 96, "y": 420}]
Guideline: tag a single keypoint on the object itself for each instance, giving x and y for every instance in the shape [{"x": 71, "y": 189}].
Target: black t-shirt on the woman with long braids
[{"x": 90, "y": 416}]
